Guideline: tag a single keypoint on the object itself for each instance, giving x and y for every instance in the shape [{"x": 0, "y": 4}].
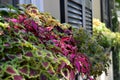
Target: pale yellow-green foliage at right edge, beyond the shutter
[{"x": 105, "y": 36}]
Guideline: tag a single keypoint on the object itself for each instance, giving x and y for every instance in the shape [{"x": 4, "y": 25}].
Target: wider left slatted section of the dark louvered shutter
[{"x": 74, "y": 13}]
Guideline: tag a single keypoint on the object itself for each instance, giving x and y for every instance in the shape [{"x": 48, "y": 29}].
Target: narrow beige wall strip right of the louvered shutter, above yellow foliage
[{"x": 96, "y": 9}]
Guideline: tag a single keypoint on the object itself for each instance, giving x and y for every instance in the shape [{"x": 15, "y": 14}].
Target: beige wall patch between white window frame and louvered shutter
[{"x": 53, "y": 7}]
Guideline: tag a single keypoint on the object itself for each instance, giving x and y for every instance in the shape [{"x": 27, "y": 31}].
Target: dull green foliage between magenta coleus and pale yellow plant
[{"x": 87, "y": 44}]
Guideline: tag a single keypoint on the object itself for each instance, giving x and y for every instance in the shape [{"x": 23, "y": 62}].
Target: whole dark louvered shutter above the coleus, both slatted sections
[{"x": 78, "y": 13}]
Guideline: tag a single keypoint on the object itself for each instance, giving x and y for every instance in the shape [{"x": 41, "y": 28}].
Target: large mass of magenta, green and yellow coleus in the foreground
[{"x": 34, "y": 45}]
